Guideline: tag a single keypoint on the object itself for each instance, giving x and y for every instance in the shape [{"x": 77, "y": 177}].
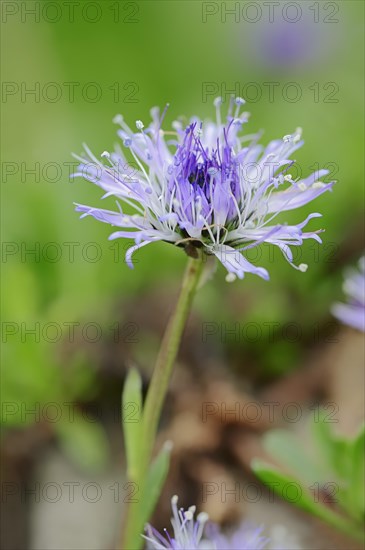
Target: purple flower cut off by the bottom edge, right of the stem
[{"x": 197, "y": 534}]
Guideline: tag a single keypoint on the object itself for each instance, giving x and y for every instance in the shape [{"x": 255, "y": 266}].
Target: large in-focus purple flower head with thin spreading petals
[{"x": 204, "y": 187}]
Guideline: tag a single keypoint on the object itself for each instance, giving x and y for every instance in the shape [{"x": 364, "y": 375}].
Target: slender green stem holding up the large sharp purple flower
[{"x": 156, "y": 395}]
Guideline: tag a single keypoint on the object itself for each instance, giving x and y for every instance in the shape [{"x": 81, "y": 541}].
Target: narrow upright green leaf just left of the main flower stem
[{"x": 132, "y": 422}]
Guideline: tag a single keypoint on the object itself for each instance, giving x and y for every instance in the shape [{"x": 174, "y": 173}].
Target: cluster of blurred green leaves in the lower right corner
[{"x": 339, "y": 460}]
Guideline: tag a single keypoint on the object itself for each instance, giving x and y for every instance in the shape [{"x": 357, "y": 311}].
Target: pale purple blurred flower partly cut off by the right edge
[{"x": 353, "y": 313}]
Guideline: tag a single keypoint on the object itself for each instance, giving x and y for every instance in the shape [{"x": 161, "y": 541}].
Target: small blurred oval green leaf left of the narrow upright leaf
[{"x": 85, "y": 443}]
